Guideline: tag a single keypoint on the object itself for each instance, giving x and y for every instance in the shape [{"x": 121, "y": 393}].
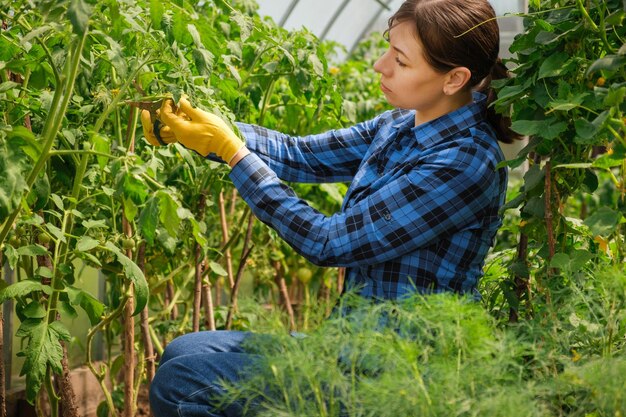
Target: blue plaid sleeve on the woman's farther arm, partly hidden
[{"x": 332, "y": 156}]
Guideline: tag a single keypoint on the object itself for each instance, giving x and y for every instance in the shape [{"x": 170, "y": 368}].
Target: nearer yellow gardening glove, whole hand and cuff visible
[{"x": 199, "y": 130}]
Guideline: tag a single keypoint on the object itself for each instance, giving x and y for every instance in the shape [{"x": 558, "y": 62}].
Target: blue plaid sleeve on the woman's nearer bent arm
[{"x": 437, "y": 195}]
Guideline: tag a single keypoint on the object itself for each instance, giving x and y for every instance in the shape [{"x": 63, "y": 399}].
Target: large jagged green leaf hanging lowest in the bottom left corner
[{"x": 43, "y": 349}]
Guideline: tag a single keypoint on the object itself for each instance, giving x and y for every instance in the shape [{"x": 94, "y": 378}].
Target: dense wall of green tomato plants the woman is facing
[{"x": 81, "y": 188}]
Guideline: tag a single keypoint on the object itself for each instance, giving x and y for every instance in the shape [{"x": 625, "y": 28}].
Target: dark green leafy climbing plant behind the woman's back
[{"x": 568, "y": 97}]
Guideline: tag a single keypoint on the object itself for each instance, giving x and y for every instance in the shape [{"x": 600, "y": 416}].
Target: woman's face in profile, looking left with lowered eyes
[{"x": 407, "y": 80}]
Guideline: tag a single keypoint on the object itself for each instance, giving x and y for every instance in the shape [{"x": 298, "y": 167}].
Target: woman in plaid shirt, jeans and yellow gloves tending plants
[{"x": 422, "y": 209}]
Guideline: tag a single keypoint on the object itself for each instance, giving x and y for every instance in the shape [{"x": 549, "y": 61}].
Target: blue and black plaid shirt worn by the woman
[{"x": 421, "y": 211}]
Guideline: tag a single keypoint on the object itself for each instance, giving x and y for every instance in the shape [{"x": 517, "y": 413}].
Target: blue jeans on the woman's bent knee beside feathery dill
[{"x": 189, "y": 374}]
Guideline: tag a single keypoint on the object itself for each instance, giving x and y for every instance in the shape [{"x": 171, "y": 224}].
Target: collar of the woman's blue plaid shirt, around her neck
[{"x": 441, "y": 128}]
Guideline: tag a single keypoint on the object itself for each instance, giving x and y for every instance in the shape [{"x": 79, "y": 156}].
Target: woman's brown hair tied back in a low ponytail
[{"x": 461, "y": 33}]
